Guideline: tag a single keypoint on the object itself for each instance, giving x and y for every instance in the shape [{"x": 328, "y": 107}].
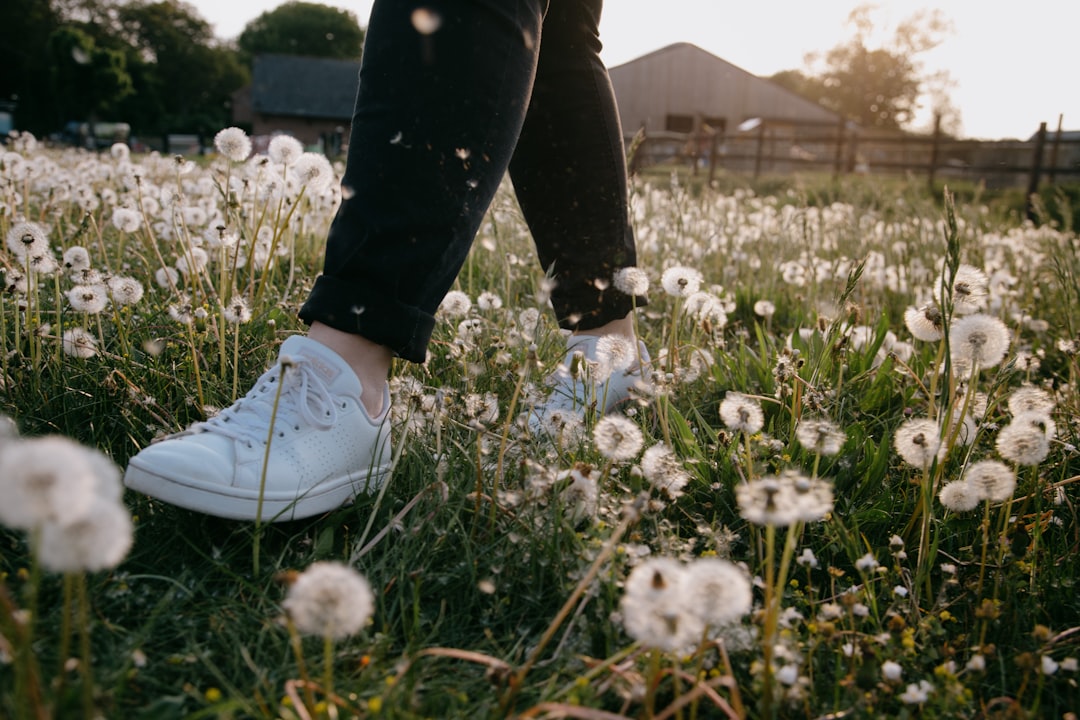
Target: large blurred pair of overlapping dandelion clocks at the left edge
[{"x": 69, "y": 494}]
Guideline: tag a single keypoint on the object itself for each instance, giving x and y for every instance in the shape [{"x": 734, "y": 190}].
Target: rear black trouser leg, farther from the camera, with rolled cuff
[{"x": 570, "y": 173}]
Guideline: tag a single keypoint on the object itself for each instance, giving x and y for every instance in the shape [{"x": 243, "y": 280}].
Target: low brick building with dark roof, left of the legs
[{"x": 310, "y": 99}]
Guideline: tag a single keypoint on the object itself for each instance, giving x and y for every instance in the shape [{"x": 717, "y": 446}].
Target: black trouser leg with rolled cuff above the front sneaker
[{"x": 438, "y": 117}]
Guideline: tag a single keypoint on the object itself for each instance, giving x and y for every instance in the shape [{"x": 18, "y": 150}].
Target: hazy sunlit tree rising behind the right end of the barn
[{"x": 876, "y": 87}]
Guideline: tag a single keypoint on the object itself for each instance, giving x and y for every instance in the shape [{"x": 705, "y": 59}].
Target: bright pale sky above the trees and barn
[{"x": 1012, "y": 63}]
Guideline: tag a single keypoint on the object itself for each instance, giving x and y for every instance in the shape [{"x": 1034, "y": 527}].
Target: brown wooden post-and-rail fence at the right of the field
[{"x": 787, "y": 147}]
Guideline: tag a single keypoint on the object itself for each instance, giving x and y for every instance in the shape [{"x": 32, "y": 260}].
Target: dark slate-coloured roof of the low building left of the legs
[{"x": 305, "y": 87}]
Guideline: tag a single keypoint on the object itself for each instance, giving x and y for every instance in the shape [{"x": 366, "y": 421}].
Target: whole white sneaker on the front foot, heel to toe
[{"x": 326, "y": 449}]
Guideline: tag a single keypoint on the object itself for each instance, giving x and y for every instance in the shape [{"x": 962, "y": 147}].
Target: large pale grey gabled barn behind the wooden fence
[{"x": 682, "y": 90}]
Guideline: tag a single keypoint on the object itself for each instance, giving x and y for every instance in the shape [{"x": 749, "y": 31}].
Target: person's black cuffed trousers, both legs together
[{"x": 441, "y": 116}]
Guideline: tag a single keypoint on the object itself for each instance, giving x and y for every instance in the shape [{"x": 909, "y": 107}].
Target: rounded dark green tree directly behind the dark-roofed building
[{"x": 304, "y": 29}]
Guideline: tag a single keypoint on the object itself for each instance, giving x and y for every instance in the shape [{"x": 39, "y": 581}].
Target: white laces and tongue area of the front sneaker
[{"x": 305, "y": 400}]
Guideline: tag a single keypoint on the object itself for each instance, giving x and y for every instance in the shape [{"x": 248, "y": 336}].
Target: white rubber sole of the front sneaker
[{"x": 235, "y": 505}]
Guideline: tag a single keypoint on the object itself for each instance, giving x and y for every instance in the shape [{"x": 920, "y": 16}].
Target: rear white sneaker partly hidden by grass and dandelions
[{"x": 597, "y": 376}]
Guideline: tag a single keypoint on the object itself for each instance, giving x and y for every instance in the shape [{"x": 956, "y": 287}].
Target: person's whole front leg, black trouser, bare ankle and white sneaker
[{"x": 443, "y": 92}]
